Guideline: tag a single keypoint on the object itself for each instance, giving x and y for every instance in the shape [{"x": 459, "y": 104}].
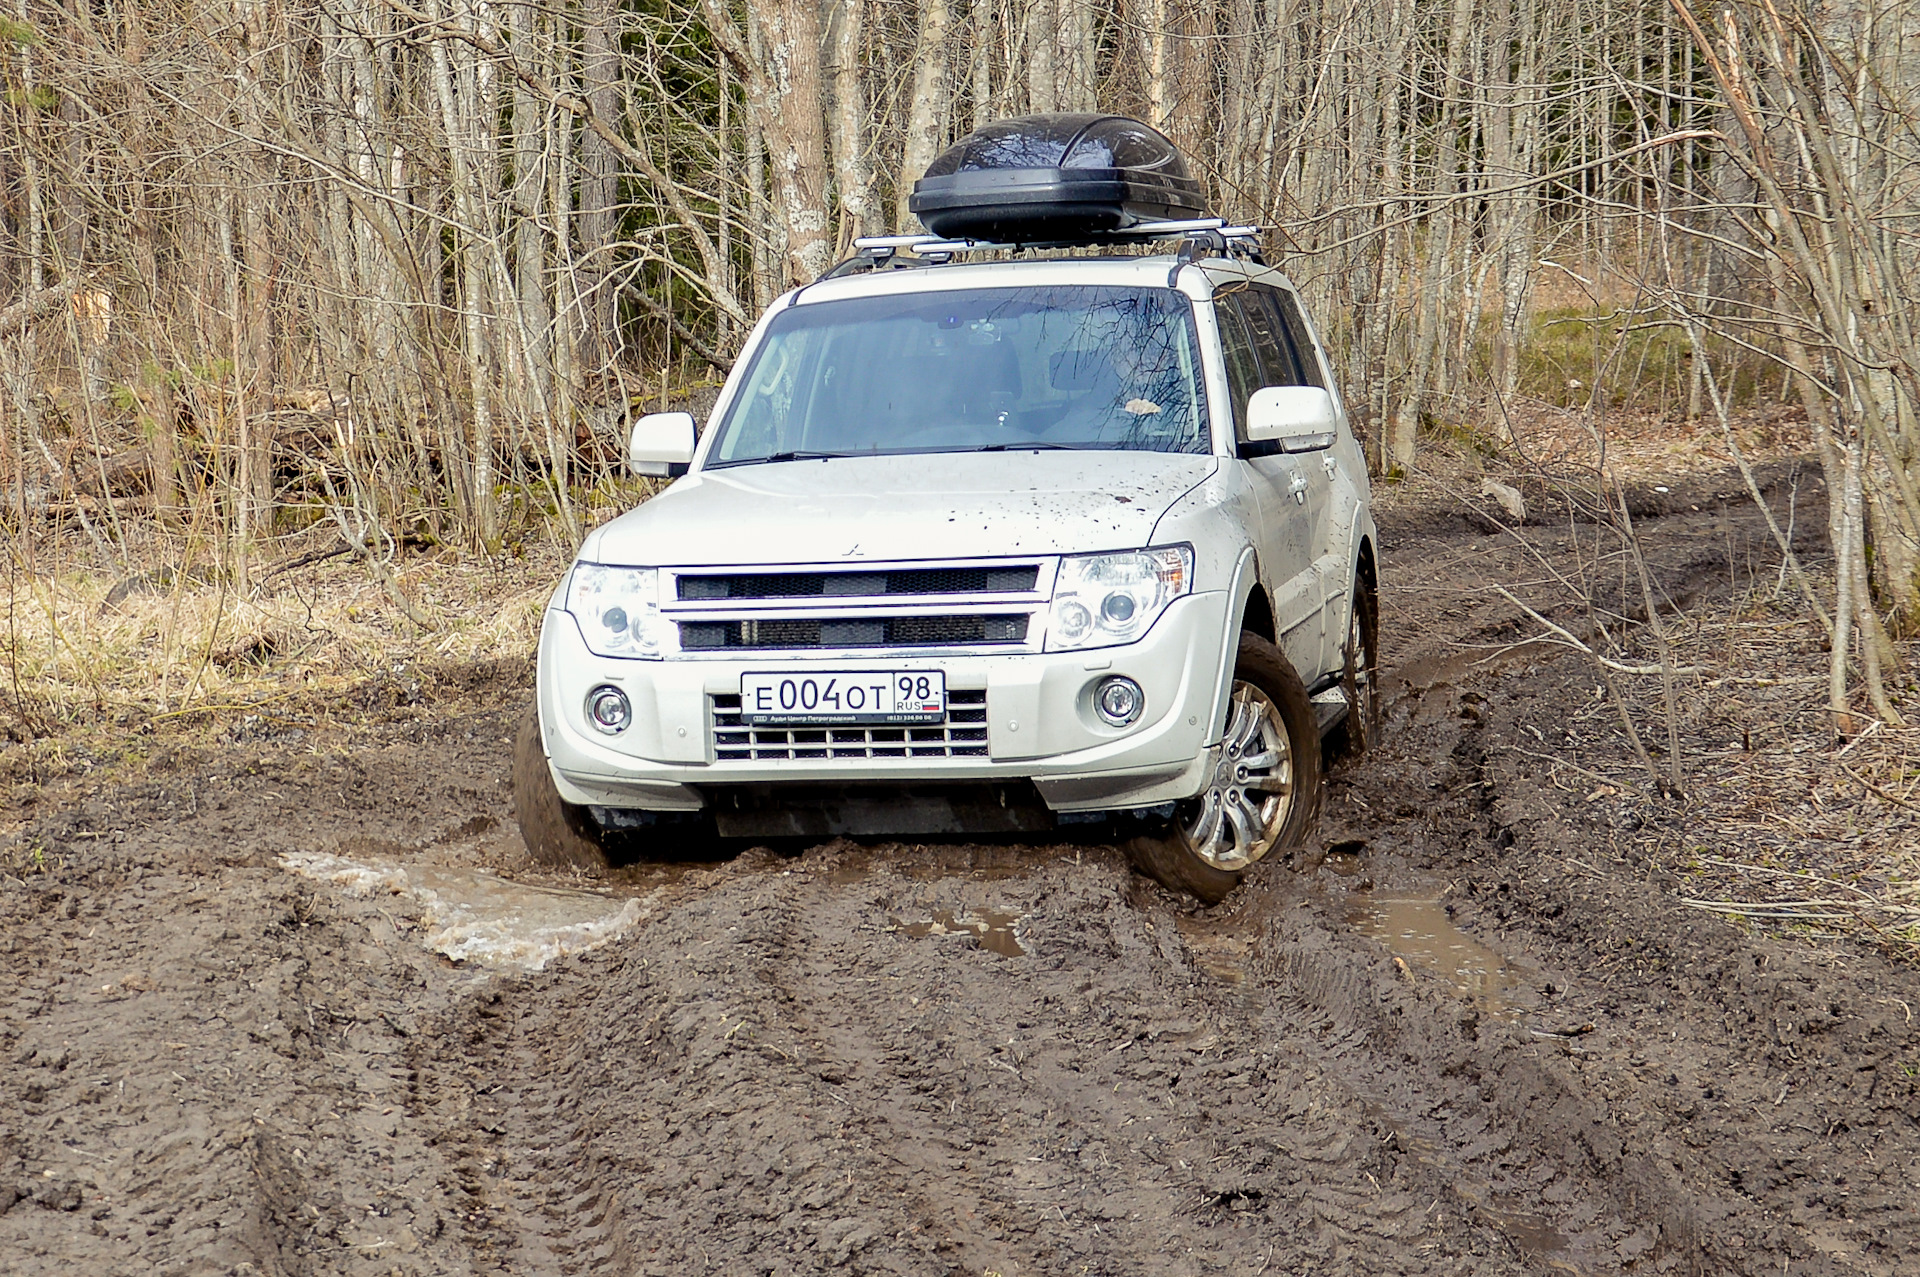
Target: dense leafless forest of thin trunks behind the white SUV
[{"x": 433, "y": 251}]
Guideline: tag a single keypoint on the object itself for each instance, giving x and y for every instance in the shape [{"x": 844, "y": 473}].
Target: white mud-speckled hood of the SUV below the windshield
[{"x": 944, "y": 506}]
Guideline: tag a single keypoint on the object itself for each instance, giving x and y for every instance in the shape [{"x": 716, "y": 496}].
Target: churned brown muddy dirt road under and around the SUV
[{"x": 1470, "y": 1032}]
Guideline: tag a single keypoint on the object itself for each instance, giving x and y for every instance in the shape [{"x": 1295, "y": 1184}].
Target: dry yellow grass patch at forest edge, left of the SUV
[{"x": 128, "y": 667}]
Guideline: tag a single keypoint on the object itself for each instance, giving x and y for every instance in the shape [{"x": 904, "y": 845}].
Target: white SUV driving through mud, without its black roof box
[{"x": 978, "y": 546}]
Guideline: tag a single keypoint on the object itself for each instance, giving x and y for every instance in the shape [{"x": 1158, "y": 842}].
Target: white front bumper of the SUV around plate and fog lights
[{"x": 1040, "y": 719}]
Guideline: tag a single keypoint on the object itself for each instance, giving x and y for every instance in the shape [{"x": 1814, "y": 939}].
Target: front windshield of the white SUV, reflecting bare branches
[{"x": 980, "y": 370}]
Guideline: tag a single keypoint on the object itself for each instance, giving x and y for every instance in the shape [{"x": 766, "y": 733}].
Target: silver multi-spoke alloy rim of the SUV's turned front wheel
[{"x": 1239, "y": 817}]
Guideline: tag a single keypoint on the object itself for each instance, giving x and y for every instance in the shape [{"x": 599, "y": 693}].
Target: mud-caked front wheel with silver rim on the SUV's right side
[{"x": 1264, "y": 794}]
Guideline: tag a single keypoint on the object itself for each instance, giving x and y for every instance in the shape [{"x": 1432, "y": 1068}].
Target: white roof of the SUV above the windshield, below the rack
[{"x": 1051, "y": 272}]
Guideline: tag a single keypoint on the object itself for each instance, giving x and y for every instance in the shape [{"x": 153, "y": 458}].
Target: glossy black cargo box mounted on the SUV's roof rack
[{"x": 1051, "y": 180}]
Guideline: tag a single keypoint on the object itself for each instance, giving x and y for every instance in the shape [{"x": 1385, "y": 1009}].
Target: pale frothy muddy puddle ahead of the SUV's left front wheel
[{"x": 477, "y": 917}]
